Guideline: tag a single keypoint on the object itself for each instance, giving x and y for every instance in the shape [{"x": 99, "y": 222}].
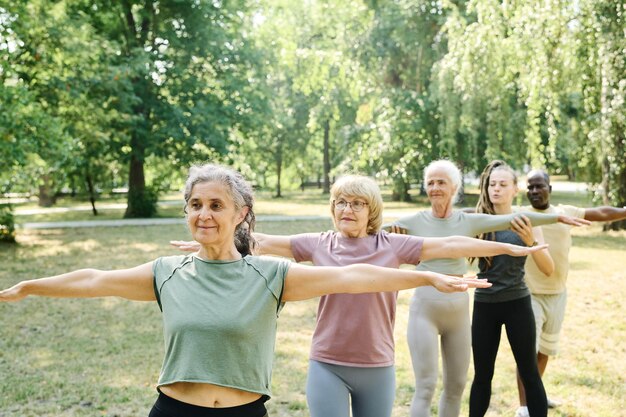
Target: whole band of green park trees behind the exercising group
[{"x": 97, "y": 94}]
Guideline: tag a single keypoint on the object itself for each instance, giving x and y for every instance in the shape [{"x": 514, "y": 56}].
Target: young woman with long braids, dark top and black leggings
[{"x": 508, "y": 301}]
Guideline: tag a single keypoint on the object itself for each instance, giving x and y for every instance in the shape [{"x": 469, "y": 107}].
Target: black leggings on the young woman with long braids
[{"x": 519, "y": 322}]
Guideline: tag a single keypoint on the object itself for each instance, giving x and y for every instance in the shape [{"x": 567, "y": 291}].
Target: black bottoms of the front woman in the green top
[{"x": 169, "y": 407}]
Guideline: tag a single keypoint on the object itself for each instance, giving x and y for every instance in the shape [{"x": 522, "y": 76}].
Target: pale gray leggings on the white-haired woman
[{"x": 434, "y": 314}]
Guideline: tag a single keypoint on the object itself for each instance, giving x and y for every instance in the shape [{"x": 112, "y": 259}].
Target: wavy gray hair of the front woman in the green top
[{"x": 239, "y": 190}]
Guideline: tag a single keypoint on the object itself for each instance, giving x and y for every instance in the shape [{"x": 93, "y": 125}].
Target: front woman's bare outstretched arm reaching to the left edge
[{"x": 133, "y": 284}]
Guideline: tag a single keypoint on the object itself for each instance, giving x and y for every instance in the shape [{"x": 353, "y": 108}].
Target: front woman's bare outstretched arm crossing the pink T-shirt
[{"x": 304, "y": 281}]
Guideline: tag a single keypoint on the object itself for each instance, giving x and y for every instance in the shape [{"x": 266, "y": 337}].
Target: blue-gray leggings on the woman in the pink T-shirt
[{"x": 330, "y": 389}]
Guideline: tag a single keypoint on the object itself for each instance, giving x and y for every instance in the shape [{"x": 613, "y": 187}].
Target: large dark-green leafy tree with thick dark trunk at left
[{"x": 128, "y": 80}]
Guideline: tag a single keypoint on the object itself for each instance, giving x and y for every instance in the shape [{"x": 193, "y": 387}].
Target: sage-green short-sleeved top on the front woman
[{"x": 219, "y": 319}]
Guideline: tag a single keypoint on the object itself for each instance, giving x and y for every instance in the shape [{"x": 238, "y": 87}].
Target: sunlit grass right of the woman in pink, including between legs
[{"x": 589, "y": 374}]
